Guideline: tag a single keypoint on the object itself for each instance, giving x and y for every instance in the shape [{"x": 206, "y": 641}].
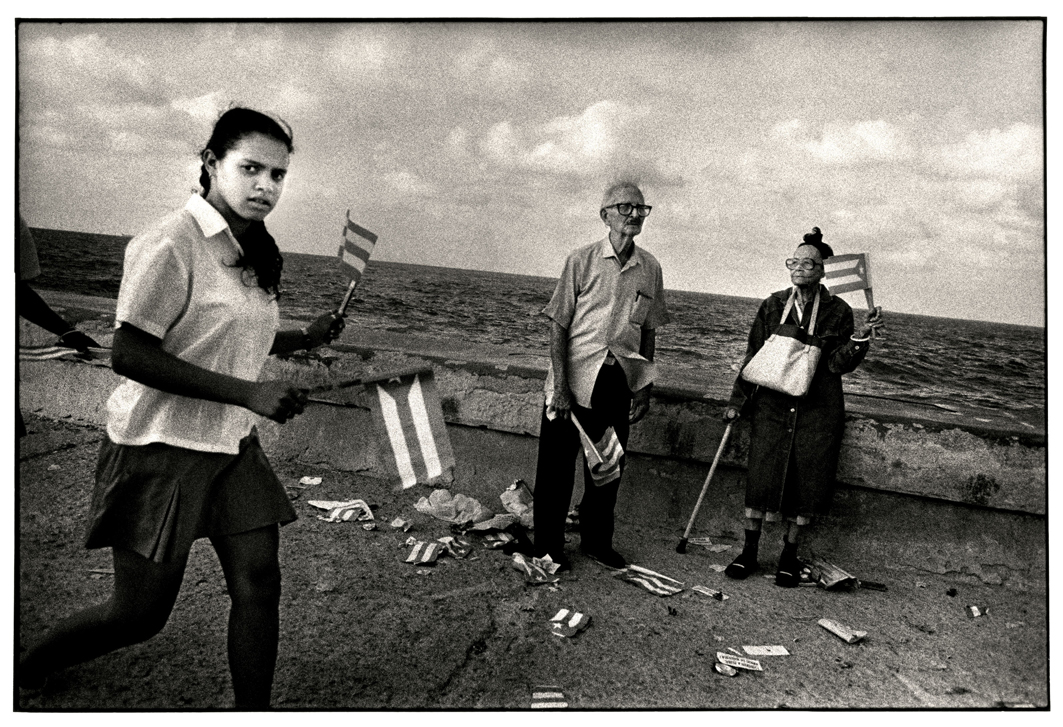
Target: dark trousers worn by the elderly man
[{"x": 555, "y": 471}]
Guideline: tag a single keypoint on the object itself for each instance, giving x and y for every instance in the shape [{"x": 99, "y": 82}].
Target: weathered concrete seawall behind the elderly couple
[{"x": 935, "y": 489}]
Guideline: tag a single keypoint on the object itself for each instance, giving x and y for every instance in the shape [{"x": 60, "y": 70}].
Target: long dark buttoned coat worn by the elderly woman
[{"x": 796, "y": 441}]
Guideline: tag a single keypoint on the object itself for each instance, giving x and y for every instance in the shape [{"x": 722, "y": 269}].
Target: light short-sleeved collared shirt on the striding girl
[{"x": 179, "y": 284}]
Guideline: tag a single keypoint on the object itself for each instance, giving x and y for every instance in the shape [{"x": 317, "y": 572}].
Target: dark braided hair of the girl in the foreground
[{"x": 261, "y": 258}]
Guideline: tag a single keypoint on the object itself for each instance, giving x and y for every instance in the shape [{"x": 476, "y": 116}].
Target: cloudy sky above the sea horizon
[{"x": 487, "y": 146}]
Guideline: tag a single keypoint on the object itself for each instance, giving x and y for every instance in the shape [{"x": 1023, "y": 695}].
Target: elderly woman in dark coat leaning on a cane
[{"x": 796, "y": 441}]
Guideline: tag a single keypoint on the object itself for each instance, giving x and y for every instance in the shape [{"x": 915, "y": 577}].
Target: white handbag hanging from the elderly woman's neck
[{"x": 789, "y": 358}]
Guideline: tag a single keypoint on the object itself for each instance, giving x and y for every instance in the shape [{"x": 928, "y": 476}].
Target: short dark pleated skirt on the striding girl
[{"x": 157, "y": 500}]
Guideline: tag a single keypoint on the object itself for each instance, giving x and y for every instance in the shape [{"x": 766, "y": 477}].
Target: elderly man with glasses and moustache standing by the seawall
[{"x": 605, "y": 312}]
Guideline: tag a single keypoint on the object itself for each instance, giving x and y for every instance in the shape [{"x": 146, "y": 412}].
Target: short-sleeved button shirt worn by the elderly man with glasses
[{"x": 605, "y": 308}]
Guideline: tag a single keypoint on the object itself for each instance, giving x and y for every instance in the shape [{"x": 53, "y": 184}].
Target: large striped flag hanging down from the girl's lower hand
[{"x": 408, "y": 411}]
